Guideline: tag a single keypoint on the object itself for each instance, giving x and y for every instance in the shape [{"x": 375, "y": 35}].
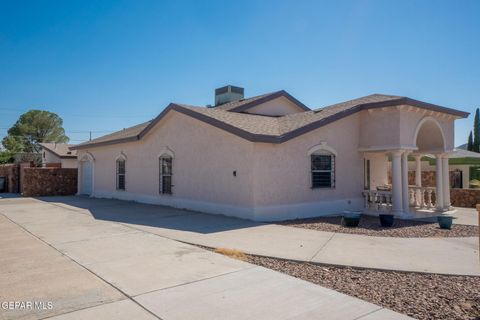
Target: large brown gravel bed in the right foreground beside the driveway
[{"x": 421, "y": 296}]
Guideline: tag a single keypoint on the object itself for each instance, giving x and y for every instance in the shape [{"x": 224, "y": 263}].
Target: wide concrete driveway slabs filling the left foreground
[{"x": 92, "y": 268}]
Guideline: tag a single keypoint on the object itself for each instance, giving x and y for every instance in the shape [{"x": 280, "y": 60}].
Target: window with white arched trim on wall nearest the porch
[{"x": 322, "y": 170}]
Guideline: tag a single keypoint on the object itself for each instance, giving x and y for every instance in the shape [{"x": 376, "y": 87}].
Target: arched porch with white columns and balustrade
[{"x": 395, "y": 195}]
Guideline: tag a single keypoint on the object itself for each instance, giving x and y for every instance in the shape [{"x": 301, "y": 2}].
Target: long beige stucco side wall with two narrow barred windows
[{"x": 204, "y": 160}]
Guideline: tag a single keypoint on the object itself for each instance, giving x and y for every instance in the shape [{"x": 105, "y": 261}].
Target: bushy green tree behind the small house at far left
[{"x": 33, "y": 127}]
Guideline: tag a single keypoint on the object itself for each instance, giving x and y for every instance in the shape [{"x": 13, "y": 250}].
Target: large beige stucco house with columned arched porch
[{"x": 270, "y": 157}]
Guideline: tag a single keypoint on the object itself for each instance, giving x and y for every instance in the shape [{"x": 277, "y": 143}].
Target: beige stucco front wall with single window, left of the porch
[{"x": 283, "y": 177}]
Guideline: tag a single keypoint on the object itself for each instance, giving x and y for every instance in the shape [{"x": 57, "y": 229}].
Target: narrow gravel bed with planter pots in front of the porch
[{"x": 370, "y": 226}]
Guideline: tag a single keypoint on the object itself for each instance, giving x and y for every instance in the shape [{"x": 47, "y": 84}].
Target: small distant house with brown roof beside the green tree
[{"x": 58, "y": 155}]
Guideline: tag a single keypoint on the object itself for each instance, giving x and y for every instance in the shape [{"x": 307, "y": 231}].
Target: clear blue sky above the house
[{"x": 105, "y": 65}]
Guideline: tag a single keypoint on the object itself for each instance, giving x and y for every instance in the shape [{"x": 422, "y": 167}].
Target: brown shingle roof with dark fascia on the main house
[{"x": 264, "y": 128}]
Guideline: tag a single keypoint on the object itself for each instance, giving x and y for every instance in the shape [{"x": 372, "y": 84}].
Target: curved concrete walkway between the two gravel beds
[{"x": 456, "y": 256}]
